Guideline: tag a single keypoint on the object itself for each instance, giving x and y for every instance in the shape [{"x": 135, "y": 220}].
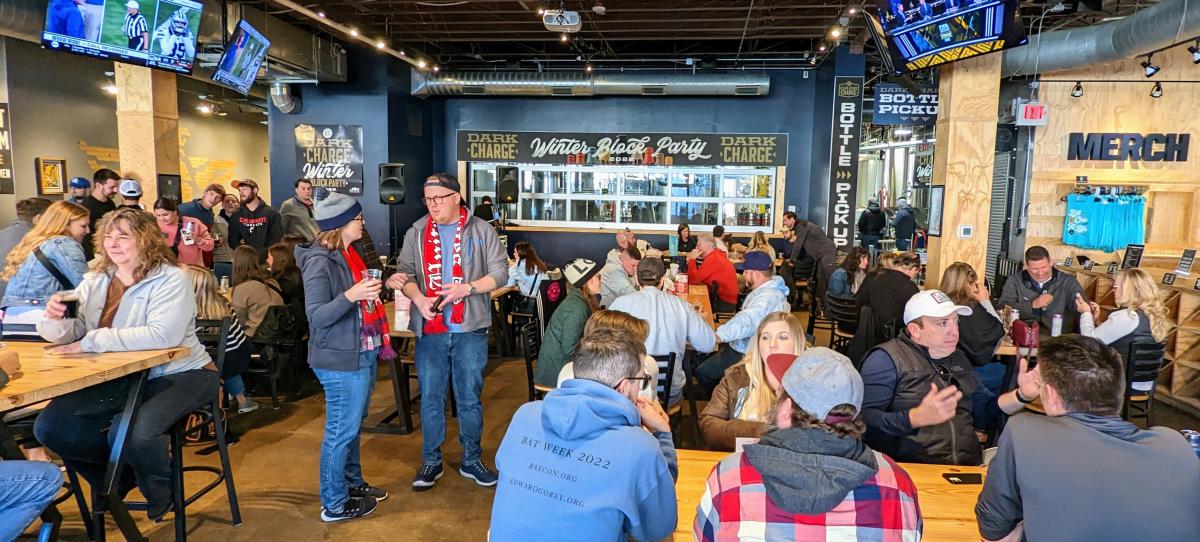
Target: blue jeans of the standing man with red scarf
[{"x": 440, "y": 358}]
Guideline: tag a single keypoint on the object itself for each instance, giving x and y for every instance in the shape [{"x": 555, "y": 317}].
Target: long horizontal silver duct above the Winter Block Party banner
[{"x": 585, "y": 85}]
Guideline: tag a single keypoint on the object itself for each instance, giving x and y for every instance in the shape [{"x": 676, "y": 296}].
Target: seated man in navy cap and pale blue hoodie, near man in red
[{"x": 769, "y": 294}]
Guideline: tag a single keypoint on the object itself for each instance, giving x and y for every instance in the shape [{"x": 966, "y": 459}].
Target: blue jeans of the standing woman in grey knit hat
[{"x": 347, "y": 398}]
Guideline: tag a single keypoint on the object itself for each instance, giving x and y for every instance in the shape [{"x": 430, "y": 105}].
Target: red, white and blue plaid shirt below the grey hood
[{"x": 736, "y": 507}]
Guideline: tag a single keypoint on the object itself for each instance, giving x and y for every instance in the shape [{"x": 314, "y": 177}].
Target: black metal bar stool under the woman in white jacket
[{"x": 212, "y": 413}]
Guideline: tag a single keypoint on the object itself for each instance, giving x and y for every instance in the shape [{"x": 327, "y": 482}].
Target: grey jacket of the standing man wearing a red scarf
[{"x": 483, "y": 256}]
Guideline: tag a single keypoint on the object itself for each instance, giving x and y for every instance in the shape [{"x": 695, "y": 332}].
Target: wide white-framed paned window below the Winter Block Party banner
[{"x": 645, "y": 197}]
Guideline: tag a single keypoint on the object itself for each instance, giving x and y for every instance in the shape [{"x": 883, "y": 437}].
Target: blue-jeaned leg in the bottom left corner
[{"x": 26, "y": 490}]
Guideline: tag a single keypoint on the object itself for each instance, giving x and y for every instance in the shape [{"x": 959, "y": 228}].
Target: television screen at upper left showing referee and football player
[{"x": 159, "y": 34}]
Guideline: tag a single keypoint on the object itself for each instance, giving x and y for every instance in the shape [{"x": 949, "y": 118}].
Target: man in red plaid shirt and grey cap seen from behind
[{"x": 811, "y": 478}]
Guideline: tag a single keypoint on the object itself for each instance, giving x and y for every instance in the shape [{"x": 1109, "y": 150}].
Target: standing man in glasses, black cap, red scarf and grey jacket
[{"x": 455, "y": 261}]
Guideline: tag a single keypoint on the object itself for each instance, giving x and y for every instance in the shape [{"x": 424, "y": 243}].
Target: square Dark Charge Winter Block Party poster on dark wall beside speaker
[{"x": 331, "y": 156}]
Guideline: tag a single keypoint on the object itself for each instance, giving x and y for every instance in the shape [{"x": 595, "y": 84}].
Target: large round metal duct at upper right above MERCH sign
[{"x": 1154, "y": 28}]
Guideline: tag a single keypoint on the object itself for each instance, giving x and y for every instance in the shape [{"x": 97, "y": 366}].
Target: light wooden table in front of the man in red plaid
[{"x": 949, "y": 510}]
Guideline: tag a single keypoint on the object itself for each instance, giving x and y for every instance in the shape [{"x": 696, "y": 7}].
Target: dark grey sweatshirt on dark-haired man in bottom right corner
[{"x": 1087, "y": 478}]
